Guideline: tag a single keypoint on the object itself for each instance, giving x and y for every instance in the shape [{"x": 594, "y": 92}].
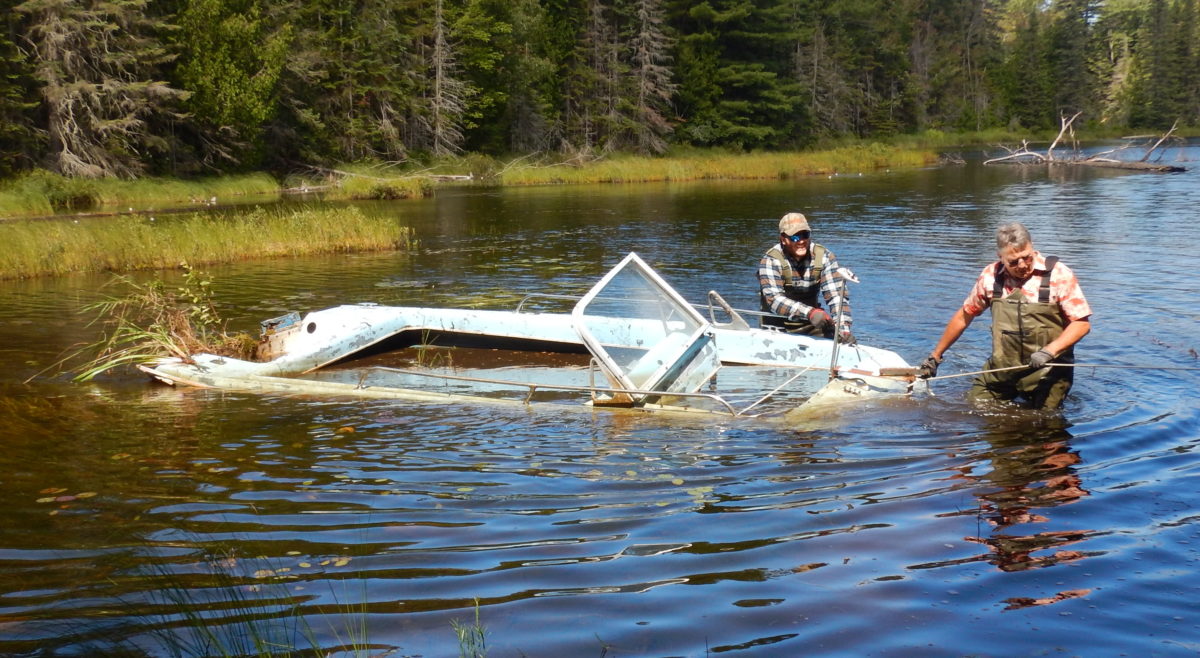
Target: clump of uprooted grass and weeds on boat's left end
[{"x": 151, "y": 321}]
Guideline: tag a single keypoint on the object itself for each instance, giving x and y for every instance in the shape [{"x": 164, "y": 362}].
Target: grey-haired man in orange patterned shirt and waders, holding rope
[{"x": 1039, "y": 314}]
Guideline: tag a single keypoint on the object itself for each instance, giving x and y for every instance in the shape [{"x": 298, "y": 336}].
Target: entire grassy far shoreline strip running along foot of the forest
[{"x": 43, "y": 196}]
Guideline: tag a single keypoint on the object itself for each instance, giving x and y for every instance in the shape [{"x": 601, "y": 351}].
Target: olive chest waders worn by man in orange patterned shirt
[{"x": 1019, "y": 328}]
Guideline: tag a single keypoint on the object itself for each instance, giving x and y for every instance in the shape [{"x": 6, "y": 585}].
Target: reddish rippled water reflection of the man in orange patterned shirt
[{"x": 1029, "y": 477}]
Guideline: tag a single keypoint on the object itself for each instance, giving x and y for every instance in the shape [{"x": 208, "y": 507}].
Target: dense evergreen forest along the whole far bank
[{"x": 182, "y": 88}]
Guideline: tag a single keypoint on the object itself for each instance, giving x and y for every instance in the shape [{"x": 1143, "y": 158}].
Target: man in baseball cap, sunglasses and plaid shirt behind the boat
[{"x": 795, "y": 277}]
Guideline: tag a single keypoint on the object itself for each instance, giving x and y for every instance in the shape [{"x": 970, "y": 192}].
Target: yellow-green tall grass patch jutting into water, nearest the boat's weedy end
[{"x": 135, "y": 243}]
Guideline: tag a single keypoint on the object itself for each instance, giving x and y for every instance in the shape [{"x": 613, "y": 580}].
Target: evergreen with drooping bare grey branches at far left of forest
[{"x": 98, "y": 64}]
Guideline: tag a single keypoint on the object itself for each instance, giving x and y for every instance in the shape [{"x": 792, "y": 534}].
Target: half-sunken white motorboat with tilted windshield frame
[{"x": 629, "y": 343}]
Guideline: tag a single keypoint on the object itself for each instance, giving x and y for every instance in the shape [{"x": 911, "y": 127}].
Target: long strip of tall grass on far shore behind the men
[{"x": 709, "y": 165}]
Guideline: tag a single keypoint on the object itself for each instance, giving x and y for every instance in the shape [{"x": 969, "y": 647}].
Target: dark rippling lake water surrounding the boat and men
[{"x": 129, "y": 512}]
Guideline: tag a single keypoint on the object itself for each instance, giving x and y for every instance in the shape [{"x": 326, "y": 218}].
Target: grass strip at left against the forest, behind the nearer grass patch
[{"x": 43, "y": 194}]
